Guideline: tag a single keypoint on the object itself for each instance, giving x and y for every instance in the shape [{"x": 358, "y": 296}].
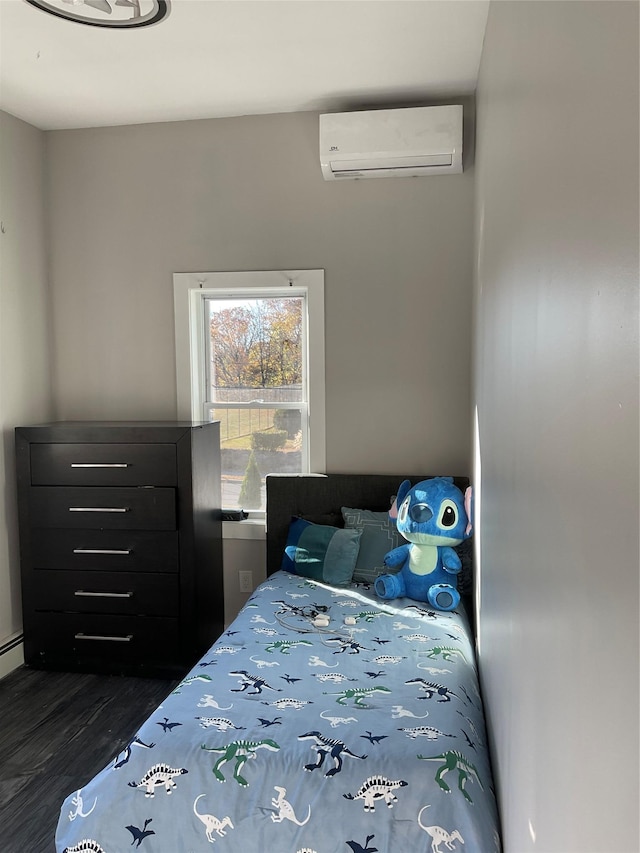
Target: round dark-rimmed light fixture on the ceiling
[{"x": 116, "y": 14}]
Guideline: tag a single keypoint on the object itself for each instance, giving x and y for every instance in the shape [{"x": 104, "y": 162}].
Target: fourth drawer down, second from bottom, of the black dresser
[{"x": 107, "y": 592}]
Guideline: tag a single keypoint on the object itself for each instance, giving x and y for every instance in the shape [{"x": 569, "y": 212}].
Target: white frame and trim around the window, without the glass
[{"x": 189, "y": 294}]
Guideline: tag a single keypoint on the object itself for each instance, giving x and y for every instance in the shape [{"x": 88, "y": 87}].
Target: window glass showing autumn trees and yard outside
[{"x": 256, "y": 389}]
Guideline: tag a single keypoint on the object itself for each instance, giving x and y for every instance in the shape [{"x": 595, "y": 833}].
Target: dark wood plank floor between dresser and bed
[{"x": 57, "y": 730}]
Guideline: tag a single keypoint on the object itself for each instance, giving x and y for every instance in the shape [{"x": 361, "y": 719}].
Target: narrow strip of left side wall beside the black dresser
[{"x": 25, "y": 391}]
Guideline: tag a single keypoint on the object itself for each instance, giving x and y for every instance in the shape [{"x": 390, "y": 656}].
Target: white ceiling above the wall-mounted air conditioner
[{"x": 214, "y": 58}]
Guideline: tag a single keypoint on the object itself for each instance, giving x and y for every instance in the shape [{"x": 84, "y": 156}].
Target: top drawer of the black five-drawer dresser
[{"x": 103, "y": 465}]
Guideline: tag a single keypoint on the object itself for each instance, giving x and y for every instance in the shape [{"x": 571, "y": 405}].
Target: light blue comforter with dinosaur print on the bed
[{"x": 293, "y": 737}]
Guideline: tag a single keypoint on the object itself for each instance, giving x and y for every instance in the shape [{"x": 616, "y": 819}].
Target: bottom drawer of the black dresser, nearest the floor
[{"x": 124, "y": 640}]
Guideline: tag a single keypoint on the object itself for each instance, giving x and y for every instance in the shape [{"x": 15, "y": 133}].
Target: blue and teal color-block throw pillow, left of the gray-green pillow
[{"x": 321, "y": 552}]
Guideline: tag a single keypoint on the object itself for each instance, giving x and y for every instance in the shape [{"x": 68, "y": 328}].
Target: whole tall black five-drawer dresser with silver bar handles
[{"x": 121, "y": 545}]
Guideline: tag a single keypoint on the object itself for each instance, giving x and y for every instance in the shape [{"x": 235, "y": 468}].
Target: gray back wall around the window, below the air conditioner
[{"x": 132, "y": 205}]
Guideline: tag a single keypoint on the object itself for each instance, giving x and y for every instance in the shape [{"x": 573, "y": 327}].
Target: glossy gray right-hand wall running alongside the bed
[{"x": 556, "y": 389}]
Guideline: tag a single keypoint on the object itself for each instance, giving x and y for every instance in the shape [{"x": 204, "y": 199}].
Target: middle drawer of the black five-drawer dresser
[{"x": 106, "y": 550}]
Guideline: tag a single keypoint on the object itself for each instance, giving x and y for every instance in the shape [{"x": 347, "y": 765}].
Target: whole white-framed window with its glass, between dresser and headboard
[{"x": 250, "y": 353}]
